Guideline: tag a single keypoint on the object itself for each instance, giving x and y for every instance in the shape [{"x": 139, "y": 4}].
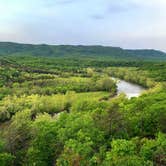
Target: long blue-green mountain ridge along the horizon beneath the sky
[{"x": 9, "y": 48}]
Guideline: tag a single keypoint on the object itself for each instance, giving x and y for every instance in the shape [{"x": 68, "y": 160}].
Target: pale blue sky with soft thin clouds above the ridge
[{"x": 123, "y": 23}]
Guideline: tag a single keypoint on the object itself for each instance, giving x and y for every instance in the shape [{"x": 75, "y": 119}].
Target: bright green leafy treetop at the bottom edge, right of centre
[{"x": 124, "y": 153}]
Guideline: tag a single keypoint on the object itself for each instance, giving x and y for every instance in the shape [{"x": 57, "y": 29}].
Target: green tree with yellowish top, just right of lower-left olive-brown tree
[{"x": 43, "y": 149}]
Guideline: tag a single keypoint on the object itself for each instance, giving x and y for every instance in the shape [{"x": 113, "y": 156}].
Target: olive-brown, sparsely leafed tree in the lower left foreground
[{"x": 18, "y": 135}]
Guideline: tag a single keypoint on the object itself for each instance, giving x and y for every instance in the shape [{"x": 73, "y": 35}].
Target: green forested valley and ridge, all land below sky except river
[{"x": 59, "y": 106}]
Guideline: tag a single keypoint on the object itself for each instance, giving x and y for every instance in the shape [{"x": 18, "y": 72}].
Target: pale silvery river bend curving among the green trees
[{"x": 130, "y": 89}]
